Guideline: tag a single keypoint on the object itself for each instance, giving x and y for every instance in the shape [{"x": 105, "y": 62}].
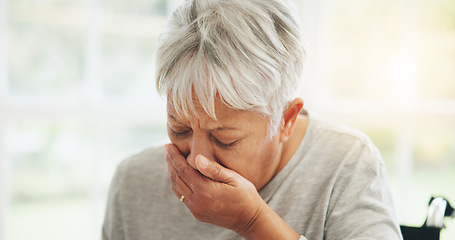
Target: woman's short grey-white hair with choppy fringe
[{"x": 247, "y": 52}]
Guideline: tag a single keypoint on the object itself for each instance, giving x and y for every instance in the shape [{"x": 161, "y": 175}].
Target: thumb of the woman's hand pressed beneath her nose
[{"x": 214, "y": 170}]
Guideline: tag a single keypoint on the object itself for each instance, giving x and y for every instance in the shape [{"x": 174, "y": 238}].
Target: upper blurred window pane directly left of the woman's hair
[{"x": 128, "y": 47}]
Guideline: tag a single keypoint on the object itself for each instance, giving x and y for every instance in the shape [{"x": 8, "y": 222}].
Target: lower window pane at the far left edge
[{"x": 51, "y": 172}]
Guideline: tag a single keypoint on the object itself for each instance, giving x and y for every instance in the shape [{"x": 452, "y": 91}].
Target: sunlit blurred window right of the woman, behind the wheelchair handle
[{"x": 386, "y": 67}]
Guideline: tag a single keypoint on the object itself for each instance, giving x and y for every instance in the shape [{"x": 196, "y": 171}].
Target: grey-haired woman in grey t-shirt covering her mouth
[{"x": 245, "y": 159}]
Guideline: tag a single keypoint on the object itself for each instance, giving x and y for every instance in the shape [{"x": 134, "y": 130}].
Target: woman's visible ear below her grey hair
[{"x": 289, "y": 119}]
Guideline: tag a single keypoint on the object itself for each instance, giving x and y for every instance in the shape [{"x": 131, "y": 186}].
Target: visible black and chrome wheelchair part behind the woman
[{"x": 438, "y": 209}]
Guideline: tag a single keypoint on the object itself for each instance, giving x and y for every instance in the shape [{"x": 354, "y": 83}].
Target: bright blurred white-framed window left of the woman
[{"x": 77, "y": 97}]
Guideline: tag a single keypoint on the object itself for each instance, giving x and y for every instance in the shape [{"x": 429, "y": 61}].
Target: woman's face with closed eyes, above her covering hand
[{"x": 237, "y": 140}]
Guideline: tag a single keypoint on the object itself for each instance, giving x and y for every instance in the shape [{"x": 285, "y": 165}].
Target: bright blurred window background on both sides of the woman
[{"x": 77, "y": 97}]
